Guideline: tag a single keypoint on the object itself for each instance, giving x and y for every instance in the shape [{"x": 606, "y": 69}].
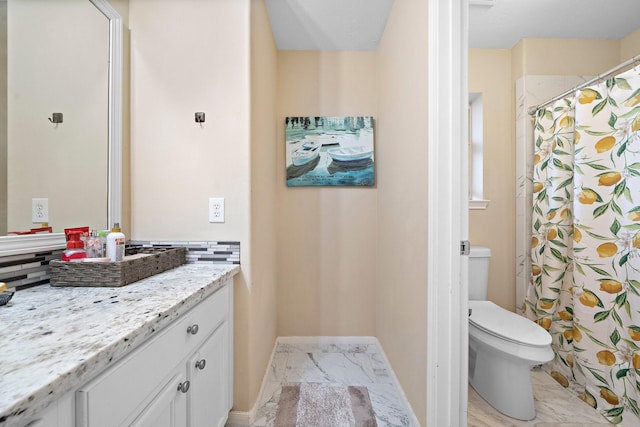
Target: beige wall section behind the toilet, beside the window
[{"x": 490, "y": 74}]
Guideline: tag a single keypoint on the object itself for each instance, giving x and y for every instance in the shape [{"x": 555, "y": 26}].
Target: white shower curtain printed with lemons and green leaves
[{"x": 585, "y": 248}]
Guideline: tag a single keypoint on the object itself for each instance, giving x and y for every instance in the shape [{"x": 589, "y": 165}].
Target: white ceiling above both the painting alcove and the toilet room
[{"x": 359, "y": 24}]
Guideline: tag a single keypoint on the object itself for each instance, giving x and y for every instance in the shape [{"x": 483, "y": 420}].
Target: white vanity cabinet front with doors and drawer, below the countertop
[{"x": 181, "y": 377}]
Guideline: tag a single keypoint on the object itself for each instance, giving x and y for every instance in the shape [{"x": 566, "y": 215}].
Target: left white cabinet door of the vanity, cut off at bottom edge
[{"x": 168, "y": 408}]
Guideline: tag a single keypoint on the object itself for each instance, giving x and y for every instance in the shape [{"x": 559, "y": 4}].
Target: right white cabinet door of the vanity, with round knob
[{"x": 209, "y": 375}]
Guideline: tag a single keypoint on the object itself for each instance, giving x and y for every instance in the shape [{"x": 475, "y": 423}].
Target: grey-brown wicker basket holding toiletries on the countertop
[{"x": 145, "y": 262}]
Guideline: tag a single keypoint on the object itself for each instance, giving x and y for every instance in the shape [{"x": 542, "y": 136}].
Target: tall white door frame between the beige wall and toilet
[{"x": 447, "y": 223}]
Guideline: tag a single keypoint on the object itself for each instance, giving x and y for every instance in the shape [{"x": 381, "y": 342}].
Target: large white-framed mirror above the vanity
[{"x": 109, "y": 97}]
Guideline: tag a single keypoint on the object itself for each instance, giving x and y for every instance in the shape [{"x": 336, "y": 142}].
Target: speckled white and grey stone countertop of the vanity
[{"x": 54, "y": 339}]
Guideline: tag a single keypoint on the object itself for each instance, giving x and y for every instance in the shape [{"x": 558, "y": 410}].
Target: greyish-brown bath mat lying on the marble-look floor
[{"x": 321, "y": 405}]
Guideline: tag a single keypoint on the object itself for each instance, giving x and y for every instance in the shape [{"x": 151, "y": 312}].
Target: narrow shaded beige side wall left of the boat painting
[{"x": 264, "y": 155}]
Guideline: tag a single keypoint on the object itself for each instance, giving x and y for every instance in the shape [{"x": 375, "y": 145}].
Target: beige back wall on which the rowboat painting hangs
[{"x": 326, "y": 235}]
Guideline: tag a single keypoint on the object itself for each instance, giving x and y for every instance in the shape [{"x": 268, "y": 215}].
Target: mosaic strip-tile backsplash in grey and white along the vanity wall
[{"x": 27, "y": 270}]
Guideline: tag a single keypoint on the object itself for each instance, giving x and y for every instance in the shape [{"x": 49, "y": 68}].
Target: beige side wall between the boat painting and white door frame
[{"x": 401, "y": 290}]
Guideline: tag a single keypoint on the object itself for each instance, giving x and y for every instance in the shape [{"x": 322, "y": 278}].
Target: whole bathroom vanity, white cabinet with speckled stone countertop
[{"x": 155, "y": 352}]
